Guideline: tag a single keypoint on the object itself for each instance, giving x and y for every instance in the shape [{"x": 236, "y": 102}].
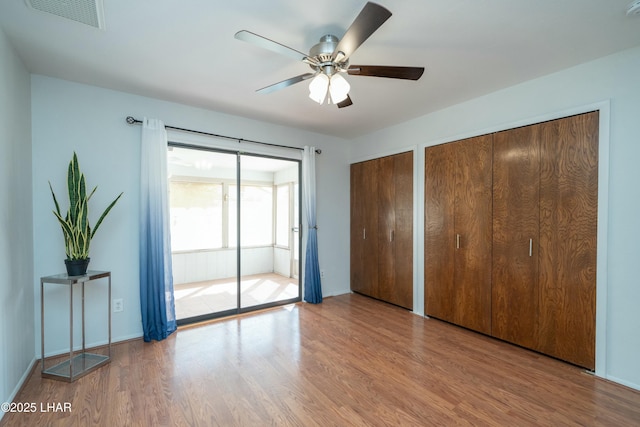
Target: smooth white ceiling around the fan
[{"x": 185, "y": 51}]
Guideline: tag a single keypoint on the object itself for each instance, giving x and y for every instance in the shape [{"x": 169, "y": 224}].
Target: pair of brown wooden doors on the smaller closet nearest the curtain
[{"x": 382, "y": 228}]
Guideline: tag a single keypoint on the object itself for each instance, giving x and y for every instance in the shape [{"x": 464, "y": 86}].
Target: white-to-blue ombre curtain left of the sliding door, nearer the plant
[{"x": 156, "y": 279}]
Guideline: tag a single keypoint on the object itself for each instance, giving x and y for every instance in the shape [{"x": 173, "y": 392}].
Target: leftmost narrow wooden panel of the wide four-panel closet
[{"x": 439, "y": 239}]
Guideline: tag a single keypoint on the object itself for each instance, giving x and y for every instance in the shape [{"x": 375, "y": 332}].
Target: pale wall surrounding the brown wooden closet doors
[{"x": 608, "y": 81}]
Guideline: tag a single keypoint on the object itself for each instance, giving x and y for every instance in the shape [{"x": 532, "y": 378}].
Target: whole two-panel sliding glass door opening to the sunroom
[{"x": 234, "y": 232}]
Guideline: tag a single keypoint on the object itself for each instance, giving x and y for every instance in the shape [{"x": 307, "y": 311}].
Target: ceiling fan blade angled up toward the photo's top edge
[{"x": 366, "y": 23}]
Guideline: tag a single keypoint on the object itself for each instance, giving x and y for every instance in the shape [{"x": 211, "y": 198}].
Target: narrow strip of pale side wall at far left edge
[{"x": 16, "y": 241}]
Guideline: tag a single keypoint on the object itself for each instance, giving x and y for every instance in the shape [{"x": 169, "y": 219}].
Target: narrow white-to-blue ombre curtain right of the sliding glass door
[{"x": 312, "y": 284}]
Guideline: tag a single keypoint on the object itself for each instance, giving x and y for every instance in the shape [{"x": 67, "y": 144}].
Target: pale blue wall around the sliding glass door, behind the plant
[{"x": 91, "y": 121}]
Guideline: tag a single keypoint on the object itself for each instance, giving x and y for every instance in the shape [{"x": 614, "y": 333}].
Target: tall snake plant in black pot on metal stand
[{"x": 75, "y": 225}]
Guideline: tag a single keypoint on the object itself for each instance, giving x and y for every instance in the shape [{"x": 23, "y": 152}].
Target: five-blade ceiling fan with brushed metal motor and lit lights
[{"x": 329, "y": 59}]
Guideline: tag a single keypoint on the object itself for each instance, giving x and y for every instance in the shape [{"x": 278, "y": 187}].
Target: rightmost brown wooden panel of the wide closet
[{"x": 568, "y": 228}]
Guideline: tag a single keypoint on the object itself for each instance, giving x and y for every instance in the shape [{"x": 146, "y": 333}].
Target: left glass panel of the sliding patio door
[{"x": 204, "y": 263}]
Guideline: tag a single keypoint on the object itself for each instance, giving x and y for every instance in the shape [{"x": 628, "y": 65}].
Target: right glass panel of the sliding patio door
[{"x": 266, "y": 276}]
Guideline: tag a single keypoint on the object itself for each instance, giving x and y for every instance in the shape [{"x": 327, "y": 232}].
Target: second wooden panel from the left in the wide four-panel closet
[{"x": 473, "y": 225}]
